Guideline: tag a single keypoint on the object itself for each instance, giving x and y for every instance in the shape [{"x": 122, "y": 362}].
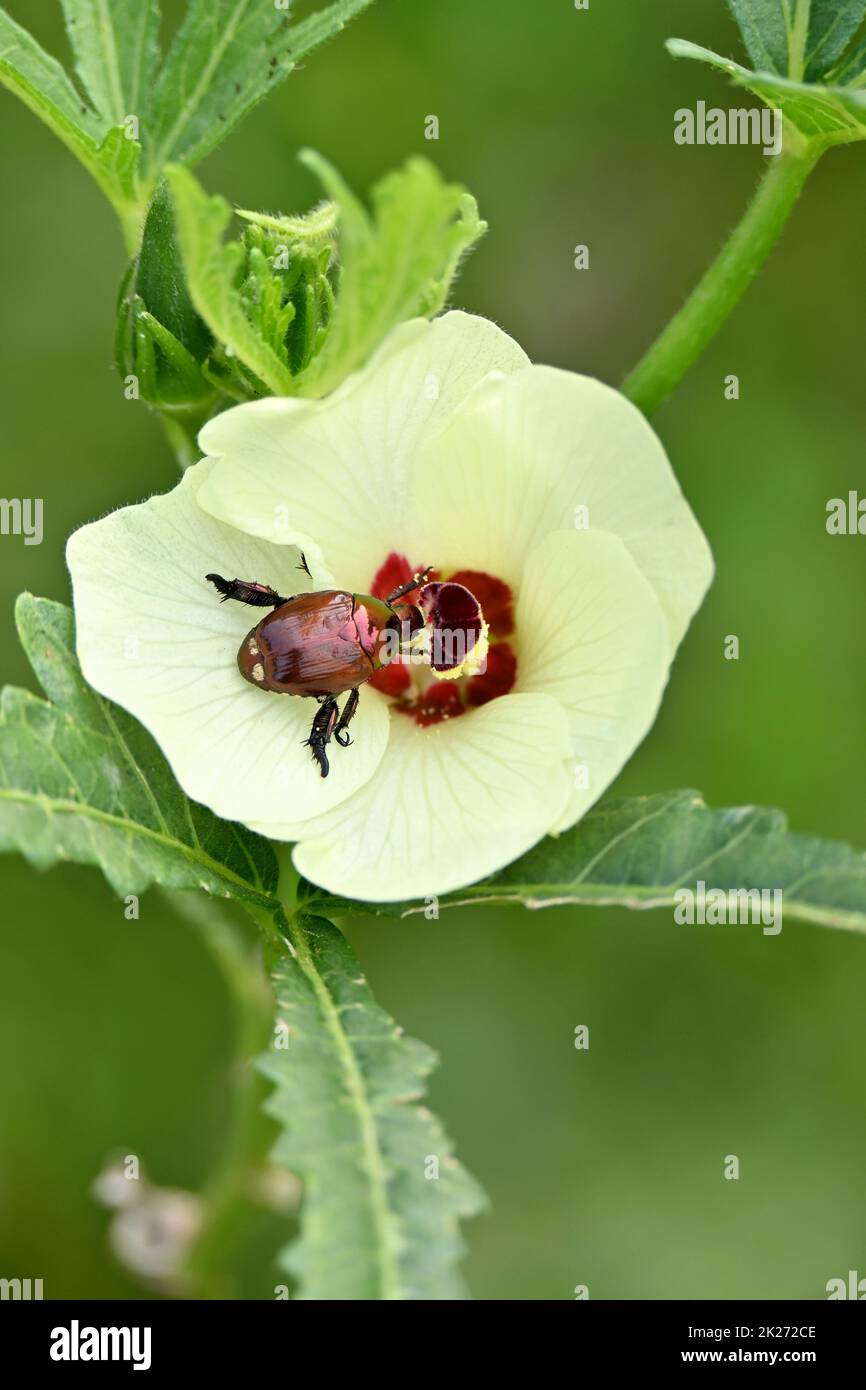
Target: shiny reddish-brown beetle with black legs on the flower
[{"x": 322, "y": 646}]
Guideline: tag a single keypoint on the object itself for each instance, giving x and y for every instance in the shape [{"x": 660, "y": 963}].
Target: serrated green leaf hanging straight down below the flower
[{"x": 383, "y": 1189}]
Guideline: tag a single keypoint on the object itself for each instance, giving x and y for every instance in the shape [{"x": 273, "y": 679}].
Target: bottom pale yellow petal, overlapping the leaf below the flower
[{"x": 448, "y": 806}]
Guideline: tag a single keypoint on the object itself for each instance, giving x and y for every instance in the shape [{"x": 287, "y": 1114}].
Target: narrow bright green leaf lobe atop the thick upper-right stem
[{"x": 832, "y": 115}]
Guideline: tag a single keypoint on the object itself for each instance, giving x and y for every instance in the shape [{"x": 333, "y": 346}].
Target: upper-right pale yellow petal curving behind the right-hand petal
[{"x": 546, "y": 451}]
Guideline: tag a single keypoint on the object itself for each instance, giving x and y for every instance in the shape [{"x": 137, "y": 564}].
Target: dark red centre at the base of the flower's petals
[{"x": 439, "y": 701}]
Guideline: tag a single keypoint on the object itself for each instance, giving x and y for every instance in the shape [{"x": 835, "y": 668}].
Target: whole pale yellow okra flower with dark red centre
[{"x": 544, "y": 494}]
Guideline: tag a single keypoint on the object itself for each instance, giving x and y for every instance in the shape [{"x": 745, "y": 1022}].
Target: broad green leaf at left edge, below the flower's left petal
[{"x": 83, "y": 782}]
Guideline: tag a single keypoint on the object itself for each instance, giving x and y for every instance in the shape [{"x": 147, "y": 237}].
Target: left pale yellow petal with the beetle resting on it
[{"x": 154, "y": 637}]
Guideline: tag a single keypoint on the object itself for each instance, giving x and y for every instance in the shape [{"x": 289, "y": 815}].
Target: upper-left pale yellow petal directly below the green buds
[{"x": 334, "y": 476}]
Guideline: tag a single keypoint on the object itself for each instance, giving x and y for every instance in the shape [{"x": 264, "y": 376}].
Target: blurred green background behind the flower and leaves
[{"x": 605, "y": 1168}]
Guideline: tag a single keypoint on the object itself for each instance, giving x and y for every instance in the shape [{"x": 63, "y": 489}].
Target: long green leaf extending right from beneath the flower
[{"x": 637, "y": 853}]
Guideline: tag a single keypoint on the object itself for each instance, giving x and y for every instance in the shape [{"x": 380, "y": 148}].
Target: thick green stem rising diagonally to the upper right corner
[{"x": 687, "y": 336}]
